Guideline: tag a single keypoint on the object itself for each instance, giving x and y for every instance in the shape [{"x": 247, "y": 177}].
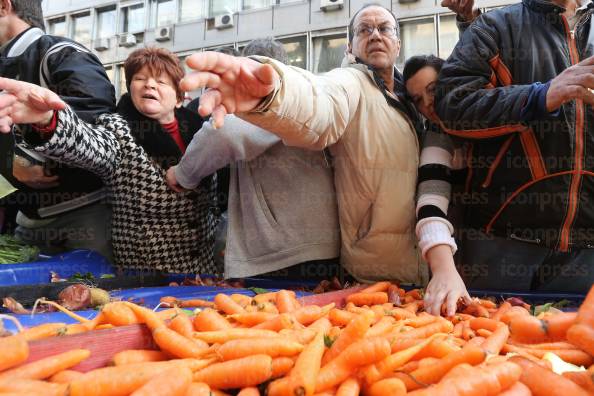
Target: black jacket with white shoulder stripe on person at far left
[{"x": 77, "y": 75}]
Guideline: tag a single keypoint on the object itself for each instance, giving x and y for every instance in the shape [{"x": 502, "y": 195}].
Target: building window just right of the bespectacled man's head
[{"x": 417, "y": 37}]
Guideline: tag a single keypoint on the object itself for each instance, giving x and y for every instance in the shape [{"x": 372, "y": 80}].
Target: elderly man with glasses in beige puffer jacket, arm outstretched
[{"x": 360, "y": 113}]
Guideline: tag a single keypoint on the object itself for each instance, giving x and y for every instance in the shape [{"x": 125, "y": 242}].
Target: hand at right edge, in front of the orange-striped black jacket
[{"x": 575, "y": 82}]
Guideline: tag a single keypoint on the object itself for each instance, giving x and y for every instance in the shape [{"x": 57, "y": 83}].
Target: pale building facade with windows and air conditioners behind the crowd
[{"x": 314, "y": 32}]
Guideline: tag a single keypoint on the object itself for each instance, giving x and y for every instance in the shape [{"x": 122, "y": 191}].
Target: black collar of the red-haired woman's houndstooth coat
[{"x": 151, "y": 136}]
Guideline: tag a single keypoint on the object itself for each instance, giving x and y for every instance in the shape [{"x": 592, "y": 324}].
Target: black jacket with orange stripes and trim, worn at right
[{"x": 530, "y": 178}]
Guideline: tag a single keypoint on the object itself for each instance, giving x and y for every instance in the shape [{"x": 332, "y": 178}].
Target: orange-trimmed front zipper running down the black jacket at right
[{"x": 579, "y": 148}]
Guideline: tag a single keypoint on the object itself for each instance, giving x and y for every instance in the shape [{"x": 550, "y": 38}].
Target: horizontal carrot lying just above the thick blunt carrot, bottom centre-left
[{"x": 273, "y": 347}]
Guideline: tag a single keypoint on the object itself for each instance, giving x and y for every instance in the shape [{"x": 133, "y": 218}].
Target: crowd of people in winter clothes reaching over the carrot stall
[{"x": 468, "y": 173}]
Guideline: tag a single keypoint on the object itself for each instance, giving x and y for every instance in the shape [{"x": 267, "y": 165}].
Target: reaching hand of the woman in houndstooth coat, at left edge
[{"x": 24, "y": 103}]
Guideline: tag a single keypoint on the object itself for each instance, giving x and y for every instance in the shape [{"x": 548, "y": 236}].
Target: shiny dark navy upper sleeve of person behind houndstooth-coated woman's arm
[{"x": 80, "y": 79}]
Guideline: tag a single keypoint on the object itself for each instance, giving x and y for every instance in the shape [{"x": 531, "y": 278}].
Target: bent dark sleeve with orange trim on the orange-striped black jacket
[{"x": 475, "y": 95}]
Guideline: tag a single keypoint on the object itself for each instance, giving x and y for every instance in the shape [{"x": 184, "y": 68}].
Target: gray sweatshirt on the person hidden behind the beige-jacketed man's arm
[{"x": 282, "y": 204}]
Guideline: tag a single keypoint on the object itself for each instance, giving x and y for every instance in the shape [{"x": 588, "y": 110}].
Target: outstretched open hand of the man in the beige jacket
[{"x": 235, "y": 84}]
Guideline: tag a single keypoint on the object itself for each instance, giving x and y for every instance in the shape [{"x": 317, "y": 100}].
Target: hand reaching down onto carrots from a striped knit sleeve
[{"x": 446, "y": 285}]
